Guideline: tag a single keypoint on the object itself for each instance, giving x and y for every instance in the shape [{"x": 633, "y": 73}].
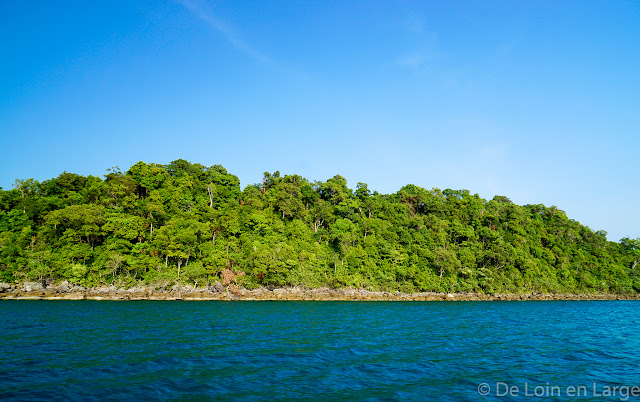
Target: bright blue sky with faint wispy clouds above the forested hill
[{"x": 538, "y": 101}]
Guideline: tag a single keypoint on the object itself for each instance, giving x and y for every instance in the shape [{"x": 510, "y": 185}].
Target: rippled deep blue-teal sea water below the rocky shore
[{"x": 147, "y": 350}]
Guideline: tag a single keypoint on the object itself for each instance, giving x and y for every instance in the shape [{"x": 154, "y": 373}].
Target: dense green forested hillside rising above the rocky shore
[{"x": 188, "y": 223}]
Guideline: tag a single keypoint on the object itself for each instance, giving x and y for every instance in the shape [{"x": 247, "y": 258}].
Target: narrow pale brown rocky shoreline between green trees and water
[{"x": 68, "y": 291}]
